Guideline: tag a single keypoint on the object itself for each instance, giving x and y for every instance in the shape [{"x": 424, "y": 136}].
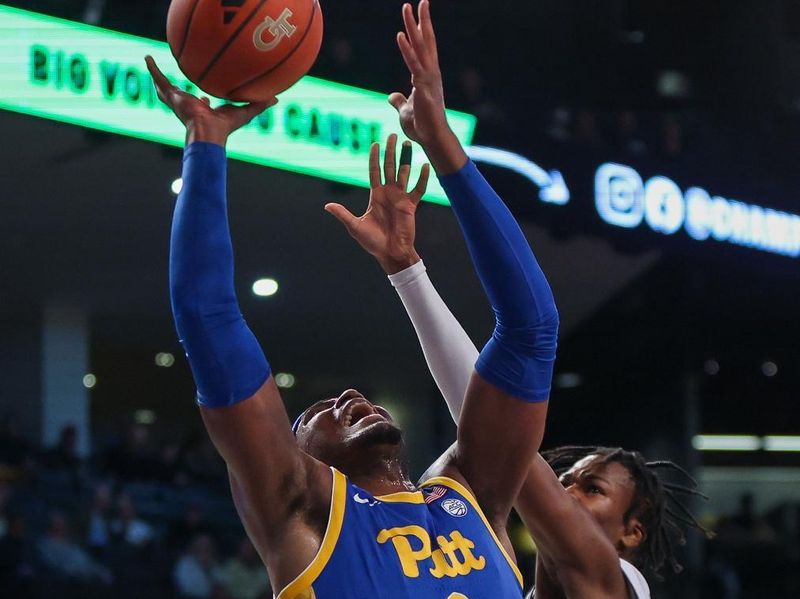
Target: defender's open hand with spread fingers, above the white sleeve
[{"x": 387, "y": 229}]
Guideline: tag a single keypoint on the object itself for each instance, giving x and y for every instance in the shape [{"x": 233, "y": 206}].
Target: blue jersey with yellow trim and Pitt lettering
[{"x": 430, "y": 544}]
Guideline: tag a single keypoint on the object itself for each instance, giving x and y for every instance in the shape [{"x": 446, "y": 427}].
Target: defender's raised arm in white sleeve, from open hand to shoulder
[{"x": 569, "y": 540}]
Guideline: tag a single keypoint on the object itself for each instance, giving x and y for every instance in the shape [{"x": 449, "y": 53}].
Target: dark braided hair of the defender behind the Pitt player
[{"x": 657, "y": 503}]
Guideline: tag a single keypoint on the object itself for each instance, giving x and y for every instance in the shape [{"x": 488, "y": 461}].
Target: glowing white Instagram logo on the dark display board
[{"x": 619, "y": 195}]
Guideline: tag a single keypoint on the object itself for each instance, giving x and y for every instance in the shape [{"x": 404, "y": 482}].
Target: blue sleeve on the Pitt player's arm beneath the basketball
[{"x": 226, "y": 360}]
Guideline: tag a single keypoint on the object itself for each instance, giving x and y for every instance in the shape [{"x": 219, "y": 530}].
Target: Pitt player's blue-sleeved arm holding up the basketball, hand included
[{"x": 240, "y": 403}]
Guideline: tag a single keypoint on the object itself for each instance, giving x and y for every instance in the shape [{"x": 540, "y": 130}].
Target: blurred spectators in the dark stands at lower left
[{"x": 137, "y": 520}]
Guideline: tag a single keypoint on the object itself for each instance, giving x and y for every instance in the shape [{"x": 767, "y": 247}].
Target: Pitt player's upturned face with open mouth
[{"x": 334, "y": 430}]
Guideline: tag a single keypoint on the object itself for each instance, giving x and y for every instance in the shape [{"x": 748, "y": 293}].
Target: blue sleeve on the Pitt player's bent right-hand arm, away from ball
[{"x": 520, "y": 355}]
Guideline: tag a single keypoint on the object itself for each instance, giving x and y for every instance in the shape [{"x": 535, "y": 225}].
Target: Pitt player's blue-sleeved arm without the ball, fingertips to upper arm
[{"x": 503, "y": 418}]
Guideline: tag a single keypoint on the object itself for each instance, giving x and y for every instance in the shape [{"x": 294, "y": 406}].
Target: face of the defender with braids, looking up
[{"x": 606, "y": 490}]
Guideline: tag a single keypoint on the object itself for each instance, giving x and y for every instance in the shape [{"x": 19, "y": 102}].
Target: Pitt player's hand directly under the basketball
[{"x": 203, "y": 123}]
